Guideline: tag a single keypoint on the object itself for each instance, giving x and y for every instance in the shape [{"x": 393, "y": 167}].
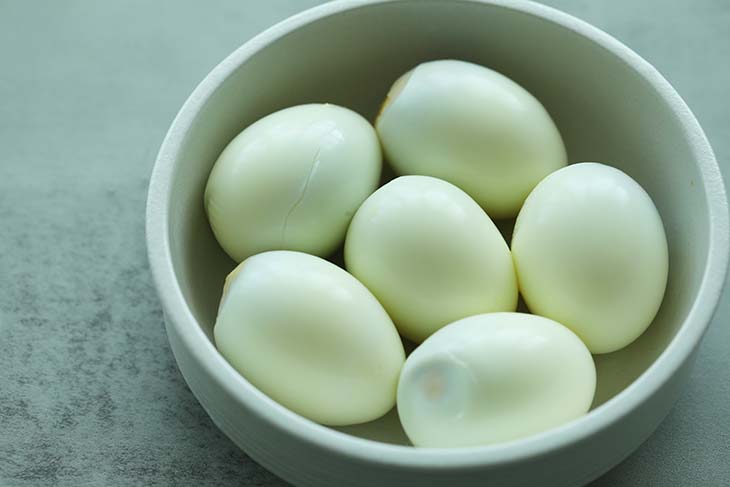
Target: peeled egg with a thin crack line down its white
[{"x": 292, "y": 180}]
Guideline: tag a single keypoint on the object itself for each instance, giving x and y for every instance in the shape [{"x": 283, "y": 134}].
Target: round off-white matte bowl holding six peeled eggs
[{"x": 610, "y": 105}]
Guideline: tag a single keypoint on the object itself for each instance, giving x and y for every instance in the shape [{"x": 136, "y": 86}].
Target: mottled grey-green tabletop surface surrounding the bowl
[{"x": 89, "y": 392}]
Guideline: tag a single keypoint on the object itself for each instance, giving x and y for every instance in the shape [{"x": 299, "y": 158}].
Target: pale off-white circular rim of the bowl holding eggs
[{"x": 180, "y": 317}]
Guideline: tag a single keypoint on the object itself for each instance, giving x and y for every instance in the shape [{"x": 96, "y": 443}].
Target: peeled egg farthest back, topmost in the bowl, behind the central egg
[{"x": 473, "y": 127}]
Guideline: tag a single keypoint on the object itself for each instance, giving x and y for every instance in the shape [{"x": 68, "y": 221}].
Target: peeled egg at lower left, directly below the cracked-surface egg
[{"x": 311, "y": 337}]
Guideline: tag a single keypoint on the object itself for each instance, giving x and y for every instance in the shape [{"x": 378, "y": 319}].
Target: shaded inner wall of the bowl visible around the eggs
[{"x": 606, "y": 111}]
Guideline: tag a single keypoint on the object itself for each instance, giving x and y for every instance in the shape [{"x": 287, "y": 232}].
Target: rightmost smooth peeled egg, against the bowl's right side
[{"x": 590, "y": 252}]
